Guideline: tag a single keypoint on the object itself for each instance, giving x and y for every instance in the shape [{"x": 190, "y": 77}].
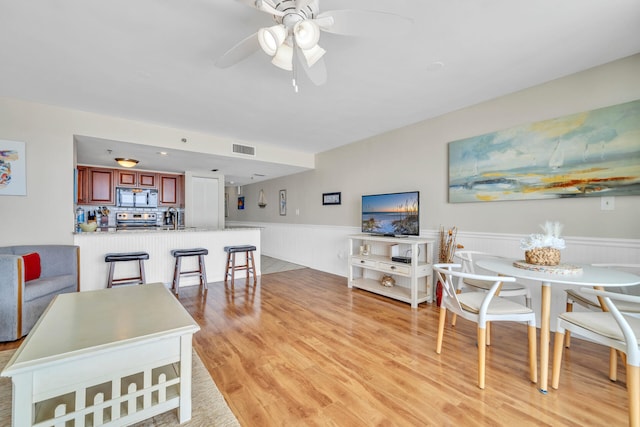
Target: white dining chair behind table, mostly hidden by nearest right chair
[{"x": 591, "y": 302}]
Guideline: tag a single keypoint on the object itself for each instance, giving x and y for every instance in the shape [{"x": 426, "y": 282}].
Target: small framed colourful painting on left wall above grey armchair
[{"x": 13, "y": 168}]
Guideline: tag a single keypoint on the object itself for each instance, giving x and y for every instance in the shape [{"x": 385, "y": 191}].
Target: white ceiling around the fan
[{"x": 153, "y": 61}]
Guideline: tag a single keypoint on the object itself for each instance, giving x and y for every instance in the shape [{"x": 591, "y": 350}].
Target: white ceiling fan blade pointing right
[{"x": 367, "y": 23}]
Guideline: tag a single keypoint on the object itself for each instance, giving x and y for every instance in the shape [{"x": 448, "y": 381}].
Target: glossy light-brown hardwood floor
[{"x": 302, "y": 349}]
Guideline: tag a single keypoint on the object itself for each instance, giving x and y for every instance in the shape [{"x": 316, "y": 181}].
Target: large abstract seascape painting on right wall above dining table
[{"x": 593, "y": 153}]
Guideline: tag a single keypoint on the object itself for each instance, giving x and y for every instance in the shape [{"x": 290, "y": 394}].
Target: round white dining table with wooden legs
[{"x": 587, "y": 275}]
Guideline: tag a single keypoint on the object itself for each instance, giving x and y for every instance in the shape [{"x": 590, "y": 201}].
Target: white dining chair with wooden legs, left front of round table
[{"x": 482, "y": 307}]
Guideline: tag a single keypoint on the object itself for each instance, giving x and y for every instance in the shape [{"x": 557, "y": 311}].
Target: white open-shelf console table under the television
[{"x": 413, "y": 280}]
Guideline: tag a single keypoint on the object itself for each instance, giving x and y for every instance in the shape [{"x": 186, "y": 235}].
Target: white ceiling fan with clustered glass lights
[{"x": 293, "y": 41}]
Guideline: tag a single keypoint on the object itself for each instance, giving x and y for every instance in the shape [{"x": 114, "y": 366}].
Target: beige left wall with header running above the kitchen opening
[{"x": 45, "y": 214}]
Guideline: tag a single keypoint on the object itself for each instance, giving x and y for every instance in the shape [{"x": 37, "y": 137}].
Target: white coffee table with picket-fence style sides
[{"x": 108, "y": 357}]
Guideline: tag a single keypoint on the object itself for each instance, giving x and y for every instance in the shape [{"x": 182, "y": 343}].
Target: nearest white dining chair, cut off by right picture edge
[{"x": 611, "y": 328}]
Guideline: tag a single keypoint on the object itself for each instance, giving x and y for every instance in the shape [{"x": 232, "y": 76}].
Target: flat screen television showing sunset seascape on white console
[{"x": 391, "y": 214}]
